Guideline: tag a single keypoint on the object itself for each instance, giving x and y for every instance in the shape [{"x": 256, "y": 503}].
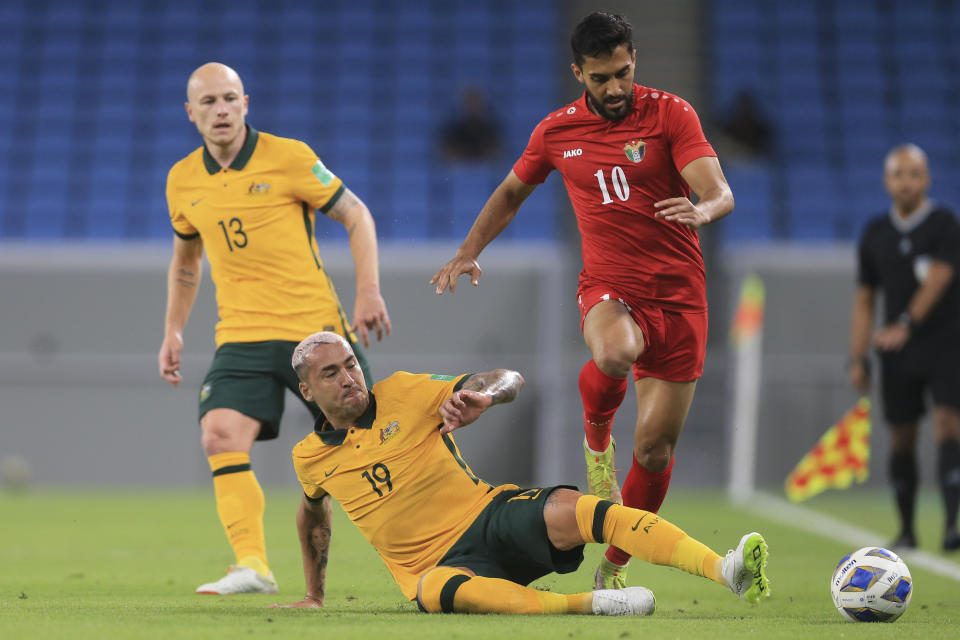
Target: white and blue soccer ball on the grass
[{"x": 871, "y": 585}]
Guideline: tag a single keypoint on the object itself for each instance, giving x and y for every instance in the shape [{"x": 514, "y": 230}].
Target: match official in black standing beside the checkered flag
[{"x": 912, "y": 255}]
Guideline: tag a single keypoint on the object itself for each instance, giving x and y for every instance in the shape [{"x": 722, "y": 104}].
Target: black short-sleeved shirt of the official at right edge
[{"x": 895, "y": 256}]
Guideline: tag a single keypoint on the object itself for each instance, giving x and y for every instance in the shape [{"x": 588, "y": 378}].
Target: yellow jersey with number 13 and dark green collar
[{"x": 256, "y": 220}]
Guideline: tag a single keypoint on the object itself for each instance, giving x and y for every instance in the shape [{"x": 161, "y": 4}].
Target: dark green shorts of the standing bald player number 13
[{"x": 252, "y": 377}]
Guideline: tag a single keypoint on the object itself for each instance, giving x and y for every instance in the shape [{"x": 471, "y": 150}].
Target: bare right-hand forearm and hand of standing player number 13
[{"x": 369, "y": 311}]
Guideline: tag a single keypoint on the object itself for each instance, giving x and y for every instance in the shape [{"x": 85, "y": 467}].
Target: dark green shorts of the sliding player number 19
[{"x": 509, "y": 540}]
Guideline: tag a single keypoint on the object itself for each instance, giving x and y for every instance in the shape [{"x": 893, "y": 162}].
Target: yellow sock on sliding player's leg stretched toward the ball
[{"x": 645, "y": 535}]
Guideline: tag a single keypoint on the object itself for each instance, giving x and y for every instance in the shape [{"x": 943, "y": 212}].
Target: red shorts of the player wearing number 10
[{"x": 675, "y": 341}]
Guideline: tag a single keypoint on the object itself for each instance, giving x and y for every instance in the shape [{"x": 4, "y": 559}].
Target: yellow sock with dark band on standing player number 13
[{"x": 240, "y": 505}]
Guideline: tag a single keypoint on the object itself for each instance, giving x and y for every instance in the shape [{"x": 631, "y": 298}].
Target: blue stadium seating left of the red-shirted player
[{"x": 91, "y": 114}]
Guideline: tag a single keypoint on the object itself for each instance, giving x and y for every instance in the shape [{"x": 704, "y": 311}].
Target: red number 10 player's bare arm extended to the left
[{"x": 492, "y": 219}]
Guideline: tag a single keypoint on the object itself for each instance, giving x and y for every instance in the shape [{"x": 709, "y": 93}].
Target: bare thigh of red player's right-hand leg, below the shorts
[{"x": 662, "y": 408}]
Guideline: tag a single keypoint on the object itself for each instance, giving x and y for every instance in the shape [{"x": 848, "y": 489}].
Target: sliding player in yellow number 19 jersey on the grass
[{"x": 453, "y": 542}]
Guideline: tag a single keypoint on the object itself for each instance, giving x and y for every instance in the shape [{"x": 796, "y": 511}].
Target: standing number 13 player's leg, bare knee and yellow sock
[{"x": 227, "y": 437}]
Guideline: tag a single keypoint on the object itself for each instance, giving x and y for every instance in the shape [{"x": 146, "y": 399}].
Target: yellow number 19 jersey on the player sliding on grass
[{"x": 400, "y": 482}]
